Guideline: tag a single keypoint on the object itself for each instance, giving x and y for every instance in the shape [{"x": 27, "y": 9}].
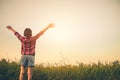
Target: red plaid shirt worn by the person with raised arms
[{"x": 28, "y": 44}]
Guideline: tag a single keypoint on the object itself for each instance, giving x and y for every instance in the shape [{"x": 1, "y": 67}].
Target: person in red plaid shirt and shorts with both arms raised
[{"x": 28, "y": 49}]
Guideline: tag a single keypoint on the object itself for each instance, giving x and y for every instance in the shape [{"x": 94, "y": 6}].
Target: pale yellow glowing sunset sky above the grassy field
[{"x": 85, "y": 30}]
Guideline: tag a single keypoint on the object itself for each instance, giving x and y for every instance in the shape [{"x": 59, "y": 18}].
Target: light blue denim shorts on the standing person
[{"x": 27, "y": 60}]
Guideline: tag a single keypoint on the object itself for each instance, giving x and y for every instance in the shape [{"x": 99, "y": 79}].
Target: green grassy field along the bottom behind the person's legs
[{"x": 109, "y": 71}]
